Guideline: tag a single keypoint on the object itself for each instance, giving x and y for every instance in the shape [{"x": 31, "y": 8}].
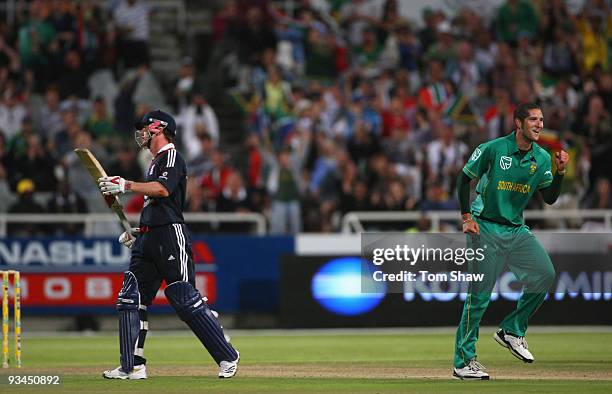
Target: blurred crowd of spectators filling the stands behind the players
[{"x": 349, "y": 105}]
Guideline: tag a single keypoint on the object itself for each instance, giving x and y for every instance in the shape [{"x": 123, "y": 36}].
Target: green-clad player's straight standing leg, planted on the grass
[{"x": 477, "y": 301}]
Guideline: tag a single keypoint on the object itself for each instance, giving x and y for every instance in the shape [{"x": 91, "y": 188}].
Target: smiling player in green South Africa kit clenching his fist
[{"x": 510, "y": 170}]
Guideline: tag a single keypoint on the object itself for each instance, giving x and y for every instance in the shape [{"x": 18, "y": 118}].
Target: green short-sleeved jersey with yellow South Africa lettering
[{"x": 508, "y": 178}]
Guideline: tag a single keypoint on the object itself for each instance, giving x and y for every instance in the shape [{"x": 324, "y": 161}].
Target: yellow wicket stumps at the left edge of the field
[{"x": 6, "y": 317}]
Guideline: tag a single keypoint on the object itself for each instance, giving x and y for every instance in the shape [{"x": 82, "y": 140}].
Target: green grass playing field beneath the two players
[{"x": 349, "y": 362}]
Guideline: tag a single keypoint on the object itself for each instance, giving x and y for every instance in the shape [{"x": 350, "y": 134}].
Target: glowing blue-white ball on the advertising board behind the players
[{"x": 337, "y": 288}]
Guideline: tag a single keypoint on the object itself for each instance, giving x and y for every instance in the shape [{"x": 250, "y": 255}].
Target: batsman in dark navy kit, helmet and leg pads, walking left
[{"x": 161, "y": 250}]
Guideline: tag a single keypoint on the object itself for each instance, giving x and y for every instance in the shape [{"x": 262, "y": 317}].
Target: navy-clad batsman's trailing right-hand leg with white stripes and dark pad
[{"x": 179, "y": 272}]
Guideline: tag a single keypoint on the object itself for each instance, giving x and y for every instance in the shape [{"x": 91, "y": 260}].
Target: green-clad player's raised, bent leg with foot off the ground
[{"x": 532, "y": 266}]
